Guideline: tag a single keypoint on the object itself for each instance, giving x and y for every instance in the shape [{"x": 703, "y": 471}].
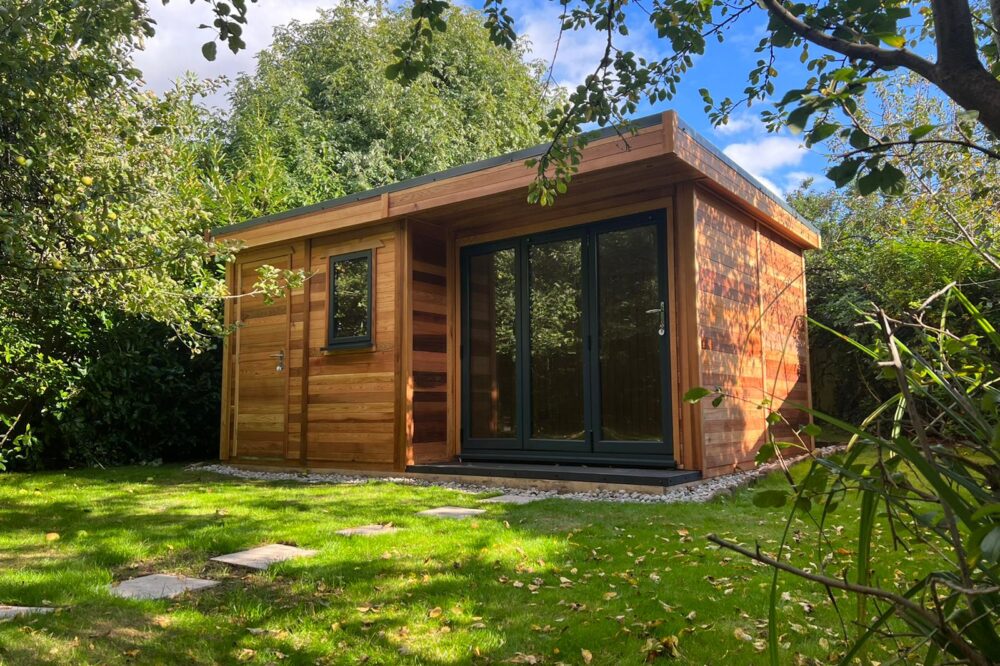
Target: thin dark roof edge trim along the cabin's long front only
[{"x": 472, "y": 167}]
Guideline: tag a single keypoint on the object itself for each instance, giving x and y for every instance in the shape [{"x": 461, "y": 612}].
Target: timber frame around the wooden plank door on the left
[{"x": 279, "y": 258}]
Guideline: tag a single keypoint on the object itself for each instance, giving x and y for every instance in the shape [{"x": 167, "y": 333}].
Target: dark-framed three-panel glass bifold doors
[{"x": 565, "y": 353}]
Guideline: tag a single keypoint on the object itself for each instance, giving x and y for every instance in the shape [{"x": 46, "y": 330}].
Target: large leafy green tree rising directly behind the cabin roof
[{"x": 318, "y": 119}]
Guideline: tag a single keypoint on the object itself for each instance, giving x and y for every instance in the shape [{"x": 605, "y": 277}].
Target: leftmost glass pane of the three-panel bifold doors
[{"x": 491, "y": 288}]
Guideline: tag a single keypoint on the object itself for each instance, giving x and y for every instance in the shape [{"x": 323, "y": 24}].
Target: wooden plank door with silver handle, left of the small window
[{"x": 260, "y": 427}]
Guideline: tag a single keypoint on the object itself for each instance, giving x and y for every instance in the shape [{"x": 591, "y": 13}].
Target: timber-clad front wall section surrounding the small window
[{"x": 351, "y": 403}]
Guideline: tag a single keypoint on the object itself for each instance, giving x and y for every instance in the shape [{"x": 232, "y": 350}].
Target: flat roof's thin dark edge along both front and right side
[{"x": 516, "y": 156}]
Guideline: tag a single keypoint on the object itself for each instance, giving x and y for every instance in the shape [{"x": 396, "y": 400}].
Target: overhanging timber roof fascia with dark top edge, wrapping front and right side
[{"x": 662, "y": 141}]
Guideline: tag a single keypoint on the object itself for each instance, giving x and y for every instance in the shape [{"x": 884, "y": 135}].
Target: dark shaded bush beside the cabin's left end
[{"x": 144, "y": 397}]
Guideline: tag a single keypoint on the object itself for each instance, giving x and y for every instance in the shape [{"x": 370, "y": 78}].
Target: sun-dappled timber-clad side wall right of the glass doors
[{"x": 751, "y": 331}]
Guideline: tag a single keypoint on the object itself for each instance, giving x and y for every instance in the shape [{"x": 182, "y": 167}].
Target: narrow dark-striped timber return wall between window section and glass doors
[{"x": 429, "y": 328}]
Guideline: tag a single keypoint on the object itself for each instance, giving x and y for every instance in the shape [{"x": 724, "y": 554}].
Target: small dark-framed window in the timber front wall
[{"x": 350, "y": 323}]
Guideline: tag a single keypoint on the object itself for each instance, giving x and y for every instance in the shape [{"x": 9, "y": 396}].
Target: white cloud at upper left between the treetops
[{"x": 176, "y": 47}]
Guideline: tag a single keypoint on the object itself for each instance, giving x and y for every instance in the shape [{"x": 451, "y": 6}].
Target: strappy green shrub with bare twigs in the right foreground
[{"x": 927, "y": 459}]
